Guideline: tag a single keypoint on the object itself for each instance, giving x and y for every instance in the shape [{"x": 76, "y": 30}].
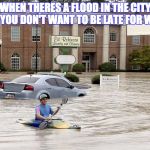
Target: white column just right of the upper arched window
[{"x": 105, "y": 55}]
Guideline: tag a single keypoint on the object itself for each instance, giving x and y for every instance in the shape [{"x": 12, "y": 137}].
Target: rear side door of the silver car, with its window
[{"x": 54, "y": 89}]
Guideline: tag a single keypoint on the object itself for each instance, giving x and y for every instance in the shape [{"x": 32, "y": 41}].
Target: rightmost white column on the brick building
[{"x": 123, "y": 48}]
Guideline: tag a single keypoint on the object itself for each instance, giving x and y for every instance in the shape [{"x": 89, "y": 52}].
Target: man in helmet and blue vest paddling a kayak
[{"x": 44, "y": 111}]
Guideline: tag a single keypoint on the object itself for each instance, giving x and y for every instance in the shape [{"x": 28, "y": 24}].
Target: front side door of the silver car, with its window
[{"x": 66, "y": 88}]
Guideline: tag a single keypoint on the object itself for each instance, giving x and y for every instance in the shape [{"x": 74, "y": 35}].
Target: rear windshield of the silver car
[{"x": 25, "y": 80}]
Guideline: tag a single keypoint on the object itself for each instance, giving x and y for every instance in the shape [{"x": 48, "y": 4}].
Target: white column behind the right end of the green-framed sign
[{"x": 75, "y": 50}]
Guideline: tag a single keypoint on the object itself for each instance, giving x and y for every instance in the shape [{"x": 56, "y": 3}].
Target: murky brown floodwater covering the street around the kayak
[{"x": 111, "y": 119}]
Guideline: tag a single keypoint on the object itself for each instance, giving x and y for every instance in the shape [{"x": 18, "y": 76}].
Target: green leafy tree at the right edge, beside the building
[{"x": 141, "y": 57}]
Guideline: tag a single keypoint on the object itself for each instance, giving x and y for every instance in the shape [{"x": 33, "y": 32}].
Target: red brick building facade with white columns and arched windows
[{"x": 99, "y": 44}]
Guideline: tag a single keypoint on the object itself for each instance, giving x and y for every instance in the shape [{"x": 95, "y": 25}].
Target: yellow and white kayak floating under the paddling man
[{"x": 55, "y": 123}]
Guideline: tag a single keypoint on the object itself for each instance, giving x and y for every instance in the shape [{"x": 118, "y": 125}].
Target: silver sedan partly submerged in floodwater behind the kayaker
[{"x": 32, "y": 86}]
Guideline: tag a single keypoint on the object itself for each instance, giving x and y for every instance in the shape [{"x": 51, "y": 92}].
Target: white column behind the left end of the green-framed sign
[{"x": 55, "y": 50}]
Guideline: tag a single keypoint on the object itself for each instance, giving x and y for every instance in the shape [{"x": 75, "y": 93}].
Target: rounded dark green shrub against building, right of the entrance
[{"x": 107, "y": 67}]
